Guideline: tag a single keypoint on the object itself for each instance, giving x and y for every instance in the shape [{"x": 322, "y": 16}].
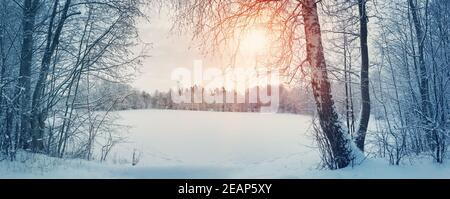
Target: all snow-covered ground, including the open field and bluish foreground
[{"x": 185, "y": 144}]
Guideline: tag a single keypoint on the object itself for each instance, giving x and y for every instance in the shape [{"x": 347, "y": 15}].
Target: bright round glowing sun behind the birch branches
[{"x": 254, "y": 41}]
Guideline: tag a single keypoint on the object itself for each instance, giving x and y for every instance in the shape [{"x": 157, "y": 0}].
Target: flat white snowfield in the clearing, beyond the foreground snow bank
[{"x": 262, "y": 142}]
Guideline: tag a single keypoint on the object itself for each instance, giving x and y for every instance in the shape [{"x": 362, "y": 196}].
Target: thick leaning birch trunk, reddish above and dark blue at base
[{"x": 329, "y": 122}]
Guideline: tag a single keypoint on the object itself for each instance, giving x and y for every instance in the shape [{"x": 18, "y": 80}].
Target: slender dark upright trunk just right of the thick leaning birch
[{"x": 365, "y": 94}]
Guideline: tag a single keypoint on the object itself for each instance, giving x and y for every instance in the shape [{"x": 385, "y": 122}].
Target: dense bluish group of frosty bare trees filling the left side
[{"x": 66, "y": 46}]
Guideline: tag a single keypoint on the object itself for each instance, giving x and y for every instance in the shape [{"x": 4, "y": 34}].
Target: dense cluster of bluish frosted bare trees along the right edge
[{"x": 412, "y": 80}]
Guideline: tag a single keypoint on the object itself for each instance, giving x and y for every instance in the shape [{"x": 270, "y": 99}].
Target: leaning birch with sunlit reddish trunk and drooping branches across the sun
[{"x": 219, "y": 22}]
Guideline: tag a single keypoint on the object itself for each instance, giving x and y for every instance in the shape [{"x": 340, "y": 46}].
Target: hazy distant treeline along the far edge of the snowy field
[{"x": 291, "y": 100}]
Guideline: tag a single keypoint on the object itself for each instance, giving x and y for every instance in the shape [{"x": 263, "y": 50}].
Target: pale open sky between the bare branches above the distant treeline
[{"x": 171, "y": 50}]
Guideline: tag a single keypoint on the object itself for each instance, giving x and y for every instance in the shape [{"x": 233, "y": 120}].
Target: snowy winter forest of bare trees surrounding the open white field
[{"x": 66, "y": 66}]
